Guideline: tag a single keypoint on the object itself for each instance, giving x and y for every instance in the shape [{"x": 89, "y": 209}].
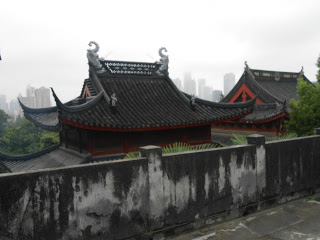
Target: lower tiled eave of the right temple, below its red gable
[{"x": 264, "y": 112}]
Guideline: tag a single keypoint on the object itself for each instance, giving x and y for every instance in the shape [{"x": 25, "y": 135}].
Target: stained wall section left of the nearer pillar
[{"x": 107, "y": 200}]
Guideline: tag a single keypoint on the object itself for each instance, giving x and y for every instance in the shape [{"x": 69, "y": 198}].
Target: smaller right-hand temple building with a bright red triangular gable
[{"x": 273, "y": 91}]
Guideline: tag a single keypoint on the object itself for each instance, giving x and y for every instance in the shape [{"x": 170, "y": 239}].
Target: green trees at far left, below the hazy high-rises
[{"x": 26, "y": 139}]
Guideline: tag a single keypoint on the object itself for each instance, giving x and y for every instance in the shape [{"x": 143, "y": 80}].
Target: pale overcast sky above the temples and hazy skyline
[{"x": 44, "y": 43}]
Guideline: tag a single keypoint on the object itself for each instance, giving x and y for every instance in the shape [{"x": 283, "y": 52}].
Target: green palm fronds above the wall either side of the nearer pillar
[{"x": 177, "y": 147}]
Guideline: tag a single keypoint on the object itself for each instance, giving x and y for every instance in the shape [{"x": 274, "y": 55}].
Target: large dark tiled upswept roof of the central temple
[{"x": 144, "y": 100}]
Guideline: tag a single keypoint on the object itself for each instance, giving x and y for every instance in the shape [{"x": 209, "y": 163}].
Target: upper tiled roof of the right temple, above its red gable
[{"x": 271, "y": 86}]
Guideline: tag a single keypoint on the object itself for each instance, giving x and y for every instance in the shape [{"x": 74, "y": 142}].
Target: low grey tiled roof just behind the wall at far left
[{"x": 52, "y": 157}]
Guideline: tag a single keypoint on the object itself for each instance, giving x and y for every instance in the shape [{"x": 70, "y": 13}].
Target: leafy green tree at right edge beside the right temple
[{"x": 305, "y": 114}]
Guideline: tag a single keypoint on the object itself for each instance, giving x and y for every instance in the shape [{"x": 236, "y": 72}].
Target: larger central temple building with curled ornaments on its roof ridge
[{"x": 123, "y": 106}]
